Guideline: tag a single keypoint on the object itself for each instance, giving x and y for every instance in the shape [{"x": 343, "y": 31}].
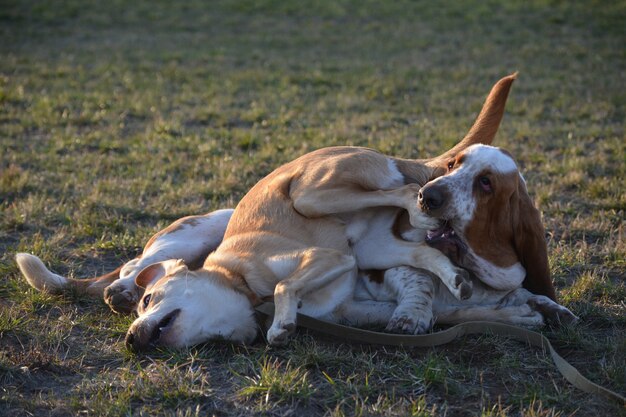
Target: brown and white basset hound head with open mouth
[{"x": 491, "y": 226}]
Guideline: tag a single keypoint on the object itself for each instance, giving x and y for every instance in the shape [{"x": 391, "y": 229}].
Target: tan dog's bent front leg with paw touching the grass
[{"x": 317, "y": 269}]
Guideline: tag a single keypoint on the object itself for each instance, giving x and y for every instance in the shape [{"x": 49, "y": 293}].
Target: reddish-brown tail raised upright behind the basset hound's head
[{"x": 486, "y": 125}]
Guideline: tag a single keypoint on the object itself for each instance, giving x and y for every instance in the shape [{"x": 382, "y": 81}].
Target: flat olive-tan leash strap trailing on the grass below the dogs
[{"x": 354, "y": 334}]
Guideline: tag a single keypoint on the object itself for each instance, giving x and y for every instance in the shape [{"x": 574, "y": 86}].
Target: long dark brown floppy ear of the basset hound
[{"x": 530, "y": 244}]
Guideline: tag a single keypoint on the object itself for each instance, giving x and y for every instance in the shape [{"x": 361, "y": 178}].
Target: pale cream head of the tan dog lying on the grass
[{"x": 181, "y": 308}]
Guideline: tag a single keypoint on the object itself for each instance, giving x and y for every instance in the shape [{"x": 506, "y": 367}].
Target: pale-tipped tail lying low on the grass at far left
[{"x": 43, "y": 279}]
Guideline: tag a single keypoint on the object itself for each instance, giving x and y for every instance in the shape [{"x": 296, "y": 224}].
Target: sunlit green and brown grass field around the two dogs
[{"x": 118, "y": 117}]
